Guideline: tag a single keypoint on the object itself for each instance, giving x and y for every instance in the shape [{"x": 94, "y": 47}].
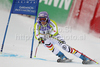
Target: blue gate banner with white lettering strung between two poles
[{"x": 28, "y": 7}]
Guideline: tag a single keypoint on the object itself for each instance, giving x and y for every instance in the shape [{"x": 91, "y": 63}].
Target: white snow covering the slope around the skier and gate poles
[{"x": 19, "y": 38}]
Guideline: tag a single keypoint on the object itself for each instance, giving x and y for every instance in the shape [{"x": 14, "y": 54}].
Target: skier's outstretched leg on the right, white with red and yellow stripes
[{"x": 69, "y": 49}]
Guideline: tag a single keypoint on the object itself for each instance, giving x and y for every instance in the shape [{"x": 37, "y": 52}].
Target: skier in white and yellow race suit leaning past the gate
[{"x": 46, "y": 32}]
